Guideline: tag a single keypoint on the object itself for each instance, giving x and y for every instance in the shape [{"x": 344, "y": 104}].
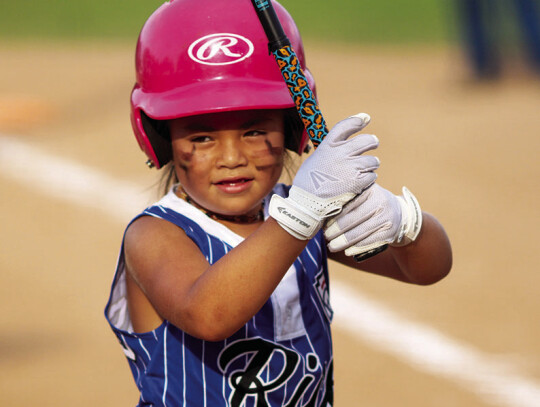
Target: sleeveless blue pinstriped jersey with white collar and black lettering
[{"x": 281, "y": 357}]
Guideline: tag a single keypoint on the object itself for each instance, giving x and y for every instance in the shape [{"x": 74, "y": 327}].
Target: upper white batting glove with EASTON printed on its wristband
[{"x": 329, "y": 178}]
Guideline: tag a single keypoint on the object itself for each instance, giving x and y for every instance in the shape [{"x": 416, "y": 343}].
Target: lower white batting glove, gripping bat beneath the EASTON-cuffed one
[{"x": 373, "y": 220}]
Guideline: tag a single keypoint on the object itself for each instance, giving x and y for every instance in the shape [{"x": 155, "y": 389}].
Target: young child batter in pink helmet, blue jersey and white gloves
[{"x": 221, "y": 296}]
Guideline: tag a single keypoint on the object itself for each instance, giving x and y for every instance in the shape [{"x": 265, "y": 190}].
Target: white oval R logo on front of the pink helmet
[{"x": 220, "y": 49}]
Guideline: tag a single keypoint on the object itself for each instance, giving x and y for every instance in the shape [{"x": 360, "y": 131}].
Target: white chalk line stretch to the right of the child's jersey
[{"x": 495, "y": 382}]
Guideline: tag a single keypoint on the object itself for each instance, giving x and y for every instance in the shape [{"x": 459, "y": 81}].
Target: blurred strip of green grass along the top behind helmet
[{"x": 363, "y": 21}]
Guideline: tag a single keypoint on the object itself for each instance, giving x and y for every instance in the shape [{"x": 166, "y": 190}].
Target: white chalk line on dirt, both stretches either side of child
[{"x": 496, "y": 383}]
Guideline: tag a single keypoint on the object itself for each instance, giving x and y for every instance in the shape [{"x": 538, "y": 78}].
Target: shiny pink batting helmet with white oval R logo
[{"x": 204, "y": 56}]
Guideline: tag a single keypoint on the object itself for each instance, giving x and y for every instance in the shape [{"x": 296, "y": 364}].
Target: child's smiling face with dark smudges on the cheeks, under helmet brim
[{"x": 228, "y": 162}]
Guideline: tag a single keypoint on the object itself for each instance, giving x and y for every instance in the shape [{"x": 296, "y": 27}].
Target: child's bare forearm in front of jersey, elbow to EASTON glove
[{"x": 232, "y": 290}]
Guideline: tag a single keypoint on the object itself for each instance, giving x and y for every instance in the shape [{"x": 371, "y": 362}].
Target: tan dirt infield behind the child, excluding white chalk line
[{"x": 469, "y": 151}]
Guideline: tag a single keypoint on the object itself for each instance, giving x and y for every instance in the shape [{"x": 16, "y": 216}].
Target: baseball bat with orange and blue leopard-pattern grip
[{"x": 293, "y": 75}]
